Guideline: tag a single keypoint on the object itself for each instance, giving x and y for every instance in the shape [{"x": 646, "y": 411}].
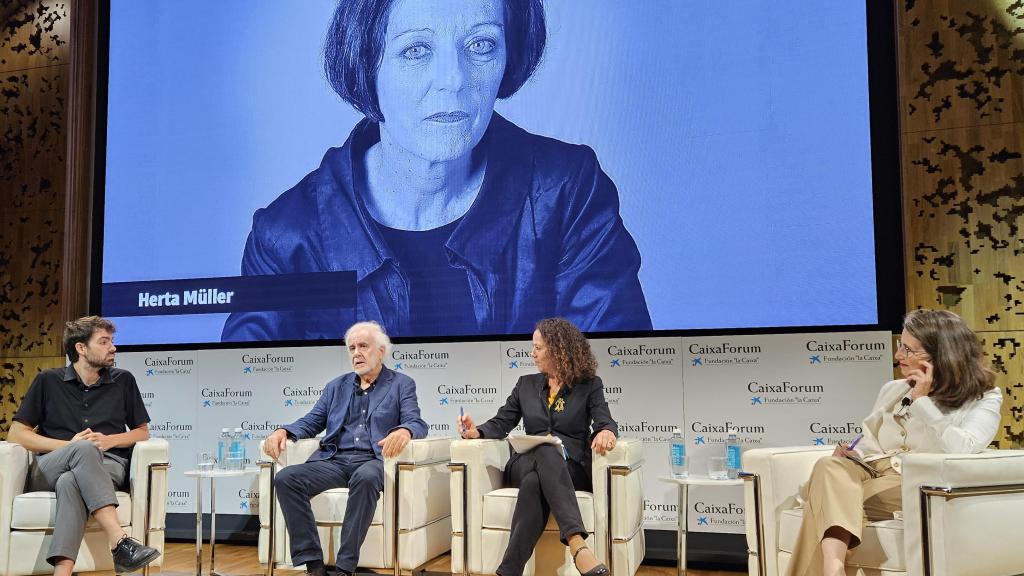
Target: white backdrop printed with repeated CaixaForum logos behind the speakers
[{"x": 776, "y": 390}]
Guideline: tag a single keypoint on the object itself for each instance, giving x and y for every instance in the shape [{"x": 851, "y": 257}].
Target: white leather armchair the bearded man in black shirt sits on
[{"x": 27, "y": 518}]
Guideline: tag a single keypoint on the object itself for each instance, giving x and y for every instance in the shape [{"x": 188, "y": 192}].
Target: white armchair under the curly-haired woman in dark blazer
[{"x": 482, "y": 512}]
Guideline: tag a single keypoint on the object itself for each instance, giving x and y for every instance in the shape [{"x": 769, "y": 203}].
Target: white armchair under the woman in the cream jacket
[{"x": 961, "y": 515}]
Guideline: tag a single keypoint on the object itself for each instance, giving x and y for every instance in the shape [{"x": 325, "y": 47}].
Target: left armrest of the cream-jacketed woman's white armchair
[{"x": 775, "y": 477}]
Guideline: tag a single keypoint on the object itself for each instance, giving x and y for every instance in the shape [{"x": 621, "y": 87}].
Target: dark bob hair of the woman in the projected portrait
[{"x": 355, "y": 47}]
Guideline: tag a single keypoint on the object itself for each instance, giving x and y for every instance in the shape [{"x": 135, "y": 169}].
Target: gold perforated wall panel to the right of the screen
[{"x": 962, "y": 66}]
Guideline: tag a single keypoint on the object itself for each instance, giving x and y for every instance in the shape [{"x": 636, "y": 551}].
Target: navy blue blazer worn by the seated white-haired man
[{"x": 393, "y": 405}]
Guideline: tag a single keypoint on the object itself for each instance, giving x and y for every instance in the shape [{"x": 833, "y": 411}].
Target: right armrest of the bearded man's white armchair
[{"x": 148, "y": 487}]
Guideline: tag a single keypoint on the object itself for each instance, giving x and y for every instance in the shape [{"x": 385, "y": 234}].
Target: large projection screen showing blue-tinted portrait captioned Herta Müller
[{"x": 667, "y": 167}]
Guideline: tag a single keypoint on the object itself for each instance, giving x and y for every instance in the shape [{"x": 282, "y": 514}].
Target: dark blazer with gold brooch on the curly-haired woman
[{"x": 584, "y": 403}]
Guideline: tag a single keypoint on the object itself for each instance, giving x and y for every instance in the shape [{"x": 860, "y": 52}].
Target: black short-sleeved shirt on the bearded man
[{"x": 61, "y": 405}]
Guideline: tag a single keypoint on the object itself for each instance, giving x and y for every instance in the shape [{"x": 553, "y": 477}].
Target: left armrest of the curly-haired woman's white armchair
[{"x": 478, "y": 468}]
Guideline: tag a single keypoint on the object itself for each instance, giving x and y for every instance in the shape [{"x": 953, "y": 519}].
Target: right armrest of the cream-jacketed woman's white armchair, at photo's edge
[{"x": 957, "y": 503}]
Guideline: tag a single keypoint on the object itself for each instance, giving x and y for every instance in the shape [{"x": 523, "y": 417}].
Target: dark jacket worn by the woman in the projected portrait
[{"x": 544, "y": 238}]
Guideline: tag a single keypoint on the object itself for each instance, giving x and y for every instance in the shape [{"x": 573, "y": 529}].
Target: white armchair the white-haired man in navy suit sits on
[{"x": 412, "y": 522}]
